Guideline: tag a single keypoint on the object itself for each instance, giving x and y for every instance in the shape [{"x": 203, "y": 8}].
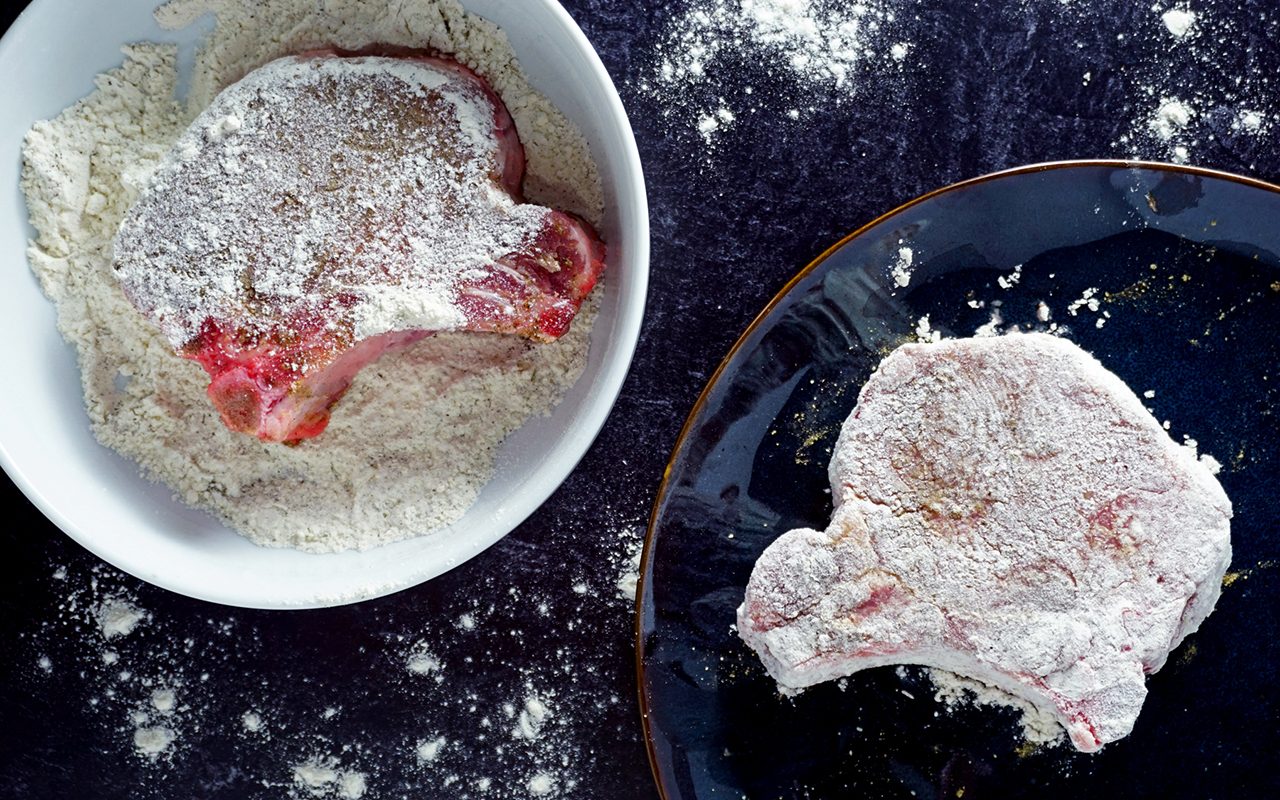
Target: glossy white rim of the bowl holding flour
[{"x": 577, "y": 441}]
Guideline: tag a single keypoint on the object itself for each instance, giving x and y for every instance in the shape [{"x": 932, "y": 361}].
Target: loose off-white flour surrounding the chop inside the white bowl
[{"x": 415, "y": 438}]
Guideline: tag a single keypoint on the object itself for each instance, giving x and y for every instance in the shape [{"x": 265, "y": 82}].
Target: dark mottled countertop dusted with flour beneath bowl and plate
[{"x": 982, "y": 88}]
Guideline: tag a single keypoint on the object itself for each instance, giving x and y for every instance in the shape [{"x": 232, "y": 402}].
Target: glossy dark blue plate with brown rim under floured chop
[{"x": 1186, "y": 266}]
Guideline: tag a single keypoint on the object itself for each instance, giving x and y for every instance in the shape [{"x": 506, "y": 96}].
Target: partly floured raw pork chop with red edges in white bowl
[{"x": 331, "y": 207}]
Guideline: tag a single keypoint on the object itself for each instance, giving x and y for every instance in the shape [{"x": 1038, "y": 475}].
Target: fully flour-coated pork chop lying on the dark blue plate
[{"x": 1005, "y": 510}]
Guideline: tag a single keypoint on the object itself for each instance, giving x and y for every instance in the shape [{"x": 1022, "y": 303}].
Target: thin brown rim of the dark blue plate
[{"x": 660, "y": 497}]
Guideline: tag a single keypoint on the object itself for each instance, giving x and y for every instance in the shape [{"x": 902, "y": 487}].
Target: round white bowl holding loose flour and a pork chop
[{"x": 49, "y": 60}]
